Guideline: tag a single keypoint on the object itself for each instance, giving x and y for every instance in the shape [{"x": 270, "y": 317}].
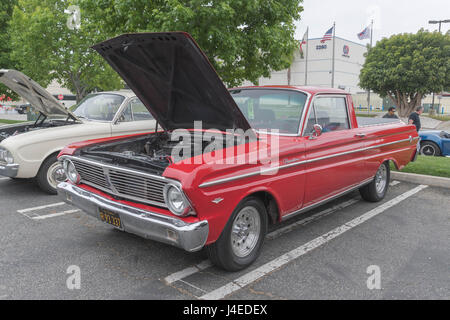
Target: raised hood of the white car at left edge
[{"x": 31, "y": 91}]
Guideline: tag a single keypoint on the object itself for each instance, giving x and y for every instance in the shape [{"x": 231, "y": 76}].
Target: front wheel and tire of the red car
[{"x": 230, "y": 251}]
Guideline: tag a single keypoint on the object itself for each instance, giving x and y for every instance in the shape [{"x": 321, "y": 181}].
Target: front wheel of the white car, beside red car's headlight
[{"x": 50, "y": 175}]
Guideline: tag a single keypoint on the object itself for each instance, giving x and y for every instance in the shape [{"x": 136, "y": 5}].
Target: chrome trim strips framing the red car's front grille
[{"x": 112, "y": 190}]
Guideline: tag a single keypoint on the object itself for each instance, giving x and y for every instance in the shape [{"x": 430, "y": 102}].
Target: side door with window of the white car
[{"x": 133, "y": 118}]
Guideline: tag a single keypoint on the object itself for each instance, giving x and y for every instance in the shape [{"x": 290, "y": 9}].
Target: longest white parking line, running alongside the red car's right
[{"x": 277, "y": 263}]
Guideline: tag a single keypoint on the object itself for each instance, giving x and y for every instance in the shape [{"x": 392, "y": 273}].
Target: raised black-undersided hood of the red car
[{"x": 174, "y": 80}]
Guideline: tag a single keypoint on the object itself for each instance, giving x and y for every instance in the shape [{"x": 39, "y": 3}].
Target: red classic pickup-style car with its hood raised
[{"x": 262, "y": 155}]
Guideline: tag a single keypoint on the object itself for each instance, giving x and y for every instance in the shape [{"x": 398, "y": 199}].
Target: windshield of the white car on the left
[{"x": 101, "y": 106}]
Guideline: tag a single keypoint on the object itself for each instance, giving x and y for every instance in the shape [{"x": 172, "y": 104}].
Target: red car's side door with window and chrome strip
[{"x": 334, "y": 163}]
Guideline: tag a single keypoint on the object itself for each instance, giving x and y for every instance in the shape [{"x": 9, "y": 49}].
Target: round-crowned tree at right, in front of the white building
[{"x": 406, "y": 67}]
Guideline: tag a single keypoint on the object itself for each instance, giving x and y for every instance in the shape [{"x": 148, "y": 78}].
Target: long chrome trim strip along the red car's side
[{"x": 220, "y": 181}]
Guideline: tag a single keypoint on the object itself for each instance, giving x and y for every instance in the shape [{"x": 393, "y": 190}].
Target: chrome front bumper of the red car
[{"x": 188, "y": 236}]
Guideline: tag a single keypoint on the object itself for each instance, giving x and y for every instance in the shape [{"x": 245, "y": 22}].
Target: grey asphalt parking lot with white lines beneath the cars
[{"x": 327, "y": 253}]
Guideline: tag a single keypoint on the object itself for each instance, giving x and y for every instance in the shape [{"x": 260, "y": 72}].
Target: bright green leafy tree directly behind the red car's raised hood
[{"x": 243, "y": 39}]
